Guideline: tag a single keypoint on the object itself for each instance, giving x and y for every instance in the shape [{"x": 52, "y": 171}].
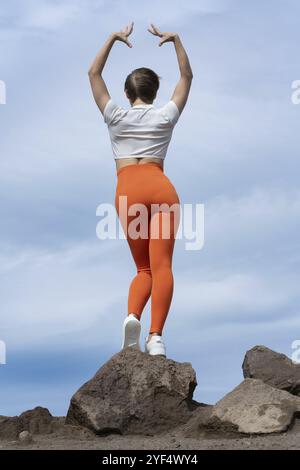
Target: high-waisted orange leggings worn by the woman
[{"x": 152, "y": 252}]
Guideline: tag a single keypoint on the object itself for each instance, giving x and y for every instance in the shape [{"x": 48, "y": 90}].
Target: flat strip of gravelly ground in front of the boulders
[{"x": 167, "y": 441}]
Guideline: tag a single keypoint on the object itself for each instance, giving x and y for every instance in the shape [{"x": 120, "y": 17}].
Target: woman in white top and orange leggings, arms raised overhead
[{"x": 139, "y": 138}]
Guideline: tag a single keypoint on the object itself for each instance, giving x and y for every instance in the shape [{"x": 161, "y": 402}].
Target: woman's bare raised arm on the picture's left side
[{"x": 99, "y": 89}]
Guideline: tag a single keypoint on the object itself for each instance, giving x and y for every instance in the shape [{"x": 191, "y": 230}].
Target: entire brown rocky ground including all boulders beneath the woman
[{"x": 137, "y": 401}]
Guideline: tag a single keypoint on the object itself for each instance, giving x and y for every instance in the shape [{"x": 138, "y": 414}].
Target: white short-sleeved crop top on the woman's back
[{"x": 141, "y": 130}]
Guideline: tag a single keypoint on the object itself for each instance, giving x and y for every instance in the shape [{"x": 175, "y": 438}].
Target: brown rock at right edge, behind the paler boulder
[{"x": 272, "y": 368}]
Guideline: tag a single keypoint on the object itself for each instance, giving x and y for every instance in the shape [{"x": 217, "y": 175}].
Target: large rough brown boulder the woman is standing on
[{"x": 135, "y": 393}]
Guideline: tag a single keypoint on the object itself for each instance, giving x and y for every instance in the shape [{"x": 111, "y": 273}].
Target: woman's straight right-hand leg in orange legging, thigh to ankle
[{"x": 161, "y": 253}]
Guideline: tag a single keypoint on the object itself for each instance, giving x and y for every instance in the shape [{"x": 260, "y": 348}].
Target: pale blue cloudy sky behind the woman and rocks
[{"x": 235, "y": 149}]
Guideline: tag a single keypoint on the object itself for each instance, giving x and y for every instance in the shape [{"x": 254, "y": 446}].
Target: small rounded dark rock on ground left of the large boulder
[{"x": 37, "y": 421}]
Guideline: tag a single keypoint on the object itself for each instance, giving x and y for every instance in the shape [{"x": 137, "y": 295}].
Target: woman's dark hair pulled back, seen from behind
[{"x": 142, "y": 83}]
